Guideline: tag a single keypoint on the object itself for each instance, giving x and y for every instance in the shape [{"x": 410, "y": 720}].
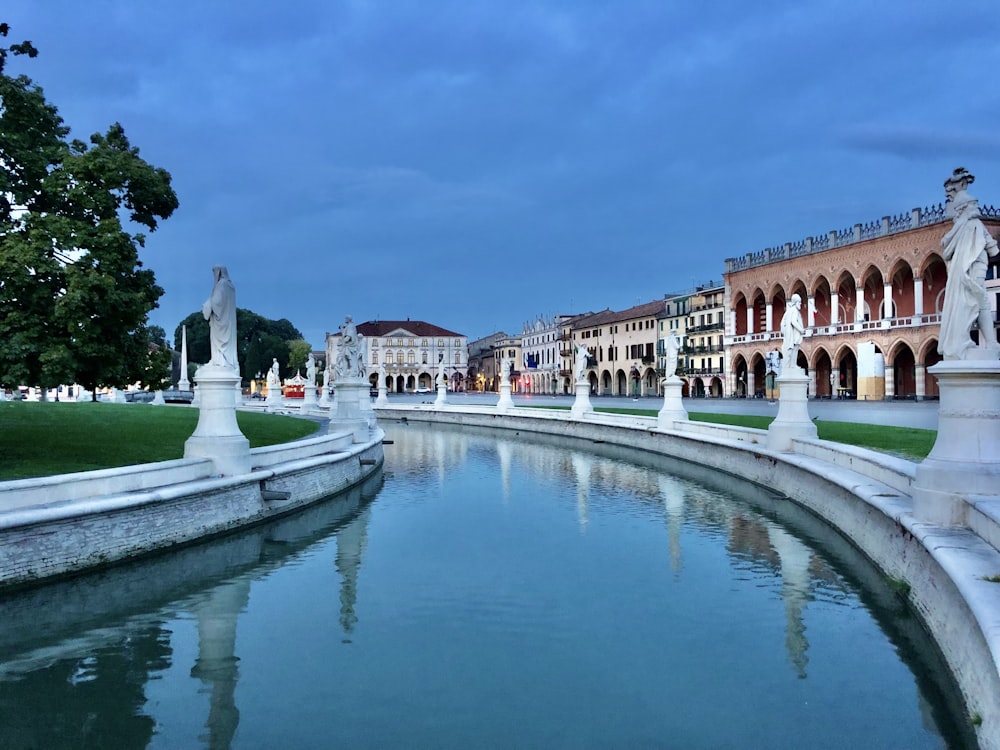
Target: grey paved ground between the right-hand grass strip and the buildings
[{"x": 894, "y": 413}]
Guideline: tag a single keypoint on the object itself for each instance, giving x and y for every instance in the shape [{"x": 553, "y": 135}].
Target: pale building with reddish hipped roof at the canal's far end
[{"x": 410, "y": 351}]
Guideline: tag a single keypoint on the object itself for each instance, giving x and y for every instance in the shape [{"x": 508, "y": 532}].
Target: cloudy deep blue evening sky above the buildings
[{"x": 480, "y": 163}]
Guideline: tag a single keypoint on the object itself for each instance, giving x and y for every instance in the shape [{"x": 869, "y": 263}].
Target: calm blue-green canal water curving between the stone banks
[{"x": 488, "y": 594}]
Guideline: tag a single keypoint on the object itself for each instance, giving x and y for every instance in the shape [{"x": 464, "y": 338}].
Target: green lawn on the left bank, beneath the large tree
[{"x": 42, "y": 439}]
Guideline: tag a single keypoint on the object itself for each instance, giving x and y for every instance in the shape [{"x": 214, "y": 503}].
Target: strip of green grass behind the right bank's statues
[{"x": 906, "y": 442}]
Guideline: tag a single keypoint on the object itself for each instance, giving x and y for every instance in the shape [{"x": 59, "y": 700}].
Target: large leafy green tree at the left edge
[{"x": 74, "y": 297}]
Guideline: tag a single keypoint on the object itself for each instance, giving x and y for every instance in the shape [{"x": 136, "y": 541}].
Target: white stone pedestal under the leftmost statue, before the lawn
[{"x": 217, "y": 435}]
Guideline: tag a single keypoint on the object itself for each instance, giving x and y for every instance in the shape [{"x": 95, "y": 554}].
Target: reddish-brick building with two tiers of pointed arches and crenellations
[{"x": 880, "y": 283}]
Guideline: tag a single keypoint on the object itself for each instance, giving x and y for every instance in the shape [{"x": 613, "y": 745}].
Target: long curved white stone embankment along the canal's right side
[{"x": 951, "y": 576}]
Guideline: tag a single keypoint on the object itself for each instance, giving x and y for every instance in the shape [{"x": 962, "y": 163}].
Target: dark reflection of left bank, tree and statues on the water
[{"x": 76, "y": 656}]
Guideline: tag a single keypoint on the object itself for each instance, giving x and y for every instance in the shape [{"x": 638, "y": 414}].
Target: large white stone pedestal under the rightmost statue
[{"x": 962, "y": 465}]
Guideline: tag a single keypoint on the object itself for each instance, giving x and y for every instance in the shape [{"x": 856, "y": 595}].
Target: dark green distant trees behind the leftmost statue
[{"x": 259, "y": 341}]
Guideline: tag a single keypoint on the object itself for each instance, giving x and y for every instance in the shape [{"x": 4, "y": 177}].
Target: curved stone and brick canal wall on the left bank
[{"x": 55, "y": 526}]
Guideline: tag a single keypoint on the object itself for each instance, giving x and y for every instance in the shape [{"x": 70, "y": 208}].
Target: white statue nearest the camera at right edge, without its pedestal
[{"x": 967, "y": 248}]
